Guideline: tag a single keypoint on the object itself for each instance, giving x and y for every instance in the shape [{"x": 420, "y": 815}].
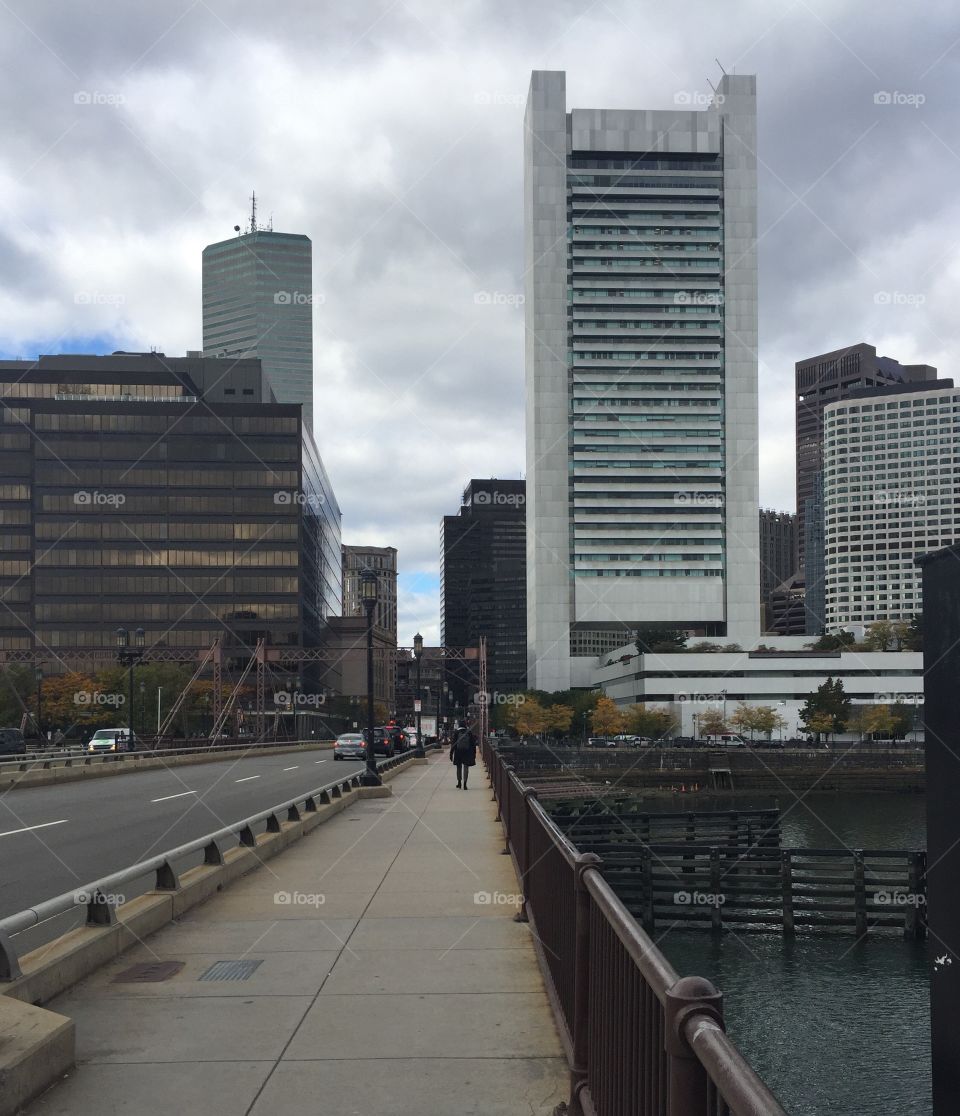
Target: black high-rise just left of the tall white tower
[{"x": 483, "y": 584}]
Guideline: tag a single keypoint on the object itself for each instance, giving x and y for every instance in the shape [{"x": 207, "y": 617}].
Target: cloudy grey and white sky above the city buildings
[{"x": 390, "y": 132}]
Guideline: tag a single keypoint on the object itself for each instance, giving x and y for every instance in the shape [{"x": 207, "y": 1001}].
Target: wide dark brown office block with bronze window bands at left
[{"x": 146, "y": 492}]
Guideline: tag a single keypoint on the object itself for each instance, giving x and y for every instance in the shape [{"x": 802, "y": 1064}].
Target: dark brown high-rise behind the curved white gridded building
[{"x": 827, "y": 379}]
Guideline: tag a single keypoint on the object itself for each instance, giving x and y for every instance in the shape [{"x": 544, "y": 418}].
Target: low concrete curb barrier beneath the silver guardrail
[{"x": 39, "y": 1046}]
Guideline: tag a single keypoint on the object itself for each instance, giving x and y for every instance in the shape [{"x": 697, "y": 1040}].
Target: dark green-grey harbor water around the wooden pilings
[{"x": 834, "y": 1028}]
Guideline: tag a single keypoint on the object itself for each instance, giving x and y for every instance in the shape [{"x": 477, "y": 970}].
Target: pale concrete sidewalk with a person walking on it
[{"x": 381, "y": 988}]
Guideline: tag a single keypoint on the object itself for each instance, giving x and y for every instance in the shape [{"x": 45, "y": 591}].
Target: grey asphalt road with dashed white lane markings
[{"x": 57, "y": 839}]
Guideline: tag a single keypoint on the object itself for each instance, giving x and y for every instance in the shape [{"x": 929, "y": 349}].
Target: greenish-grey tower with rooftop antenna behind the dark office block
[{"x": 258, "y": 303}]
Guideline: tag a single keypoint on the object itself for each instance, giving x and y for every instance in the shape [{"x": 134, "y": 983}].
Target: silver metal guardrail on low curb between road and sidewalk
[{"x": 97, "y": 897}]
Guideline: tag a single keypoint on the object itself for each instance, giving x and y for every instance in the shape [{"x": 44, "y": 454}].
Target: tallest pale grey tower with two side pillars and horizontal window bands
[{"x": 641, "y": 365}]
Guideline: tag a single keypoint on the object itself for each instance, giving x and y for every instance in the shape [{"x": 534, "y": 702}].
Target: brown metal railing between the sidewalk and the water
[{"x": 640, "y": 1040}]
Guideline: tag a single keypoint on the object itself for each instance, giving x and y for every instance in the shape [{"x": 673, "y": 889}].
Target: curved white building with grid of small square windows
[{"x": 890, "y": 495}]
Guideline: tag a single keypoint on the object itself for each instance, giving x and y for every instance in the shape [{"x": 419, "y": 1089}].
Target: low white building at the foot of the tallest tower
[{"x": 692, "y": 682}]
